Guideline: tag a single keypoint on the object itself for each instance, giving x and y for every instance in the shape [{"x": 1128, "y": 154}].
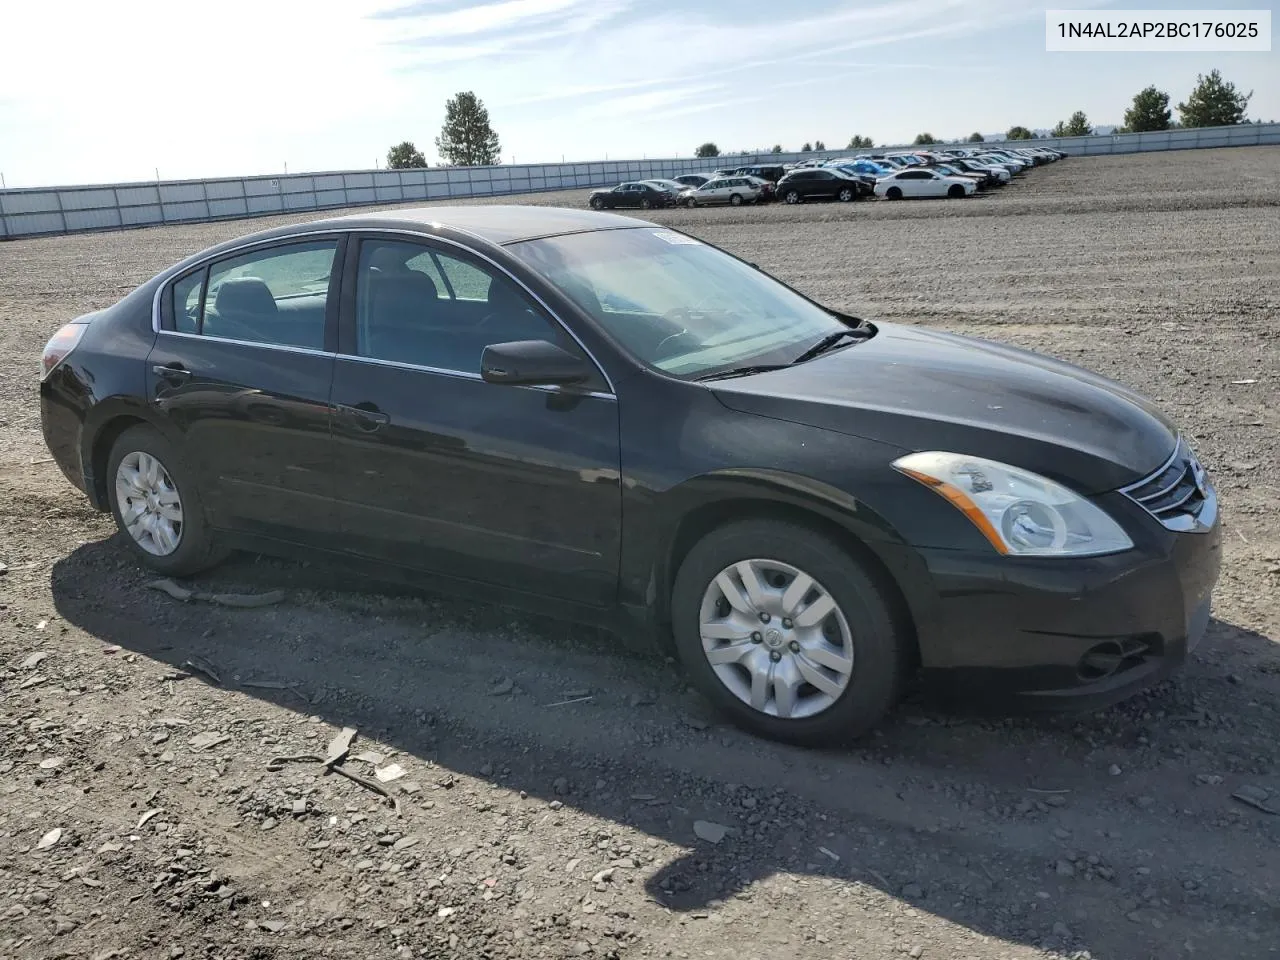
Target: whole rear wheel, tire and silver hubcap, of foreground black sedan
[{"x": 157, "y": 505}]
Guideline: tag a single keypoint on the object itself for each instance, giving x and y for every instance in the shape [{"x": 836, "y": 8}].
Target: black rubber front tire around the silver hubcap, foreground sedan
[{"x": 880, "y": 650}]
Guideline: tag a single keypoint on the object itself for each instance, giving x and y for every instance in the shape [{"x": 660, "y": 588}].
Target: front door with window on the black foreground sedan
[{"x": 442, "y": 472}]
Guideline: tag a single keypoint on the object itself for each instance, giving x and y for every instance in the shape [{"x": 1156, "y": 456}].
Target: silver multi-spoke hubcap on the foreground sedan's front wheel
[{"x": 776, "y": 639}]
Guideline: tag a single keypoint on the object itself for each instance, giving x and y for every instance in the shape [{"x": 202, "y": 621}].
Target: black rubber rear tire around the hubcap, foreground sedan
[{"x": 196, "y": 550}]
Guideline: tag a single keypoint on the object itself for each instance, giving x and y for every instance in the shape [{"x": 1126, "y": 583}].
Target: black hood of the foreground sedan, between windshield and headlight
[{"x": 924, "y": 390}]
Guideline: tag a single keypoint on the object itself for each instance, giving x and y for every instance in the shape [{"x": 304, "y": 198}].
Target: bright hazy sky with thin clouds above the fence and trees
[{"x": 97, "y": 93}]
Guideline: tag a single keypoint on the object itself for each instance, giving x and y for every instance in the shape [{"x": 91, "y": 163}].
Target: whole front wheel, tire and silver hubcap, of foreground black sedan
[{"x": 788, "y": 633}]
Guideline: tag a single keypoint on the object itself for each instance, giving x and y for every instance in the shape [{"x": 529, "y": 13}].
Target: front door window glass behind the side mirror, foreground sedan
[{"x": 422, "y": 307}]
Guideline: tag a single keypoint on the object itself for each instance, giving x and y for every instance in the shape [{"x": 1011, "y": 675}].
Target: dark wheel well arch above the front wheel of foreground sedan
[{"x": 700, "y": 523}]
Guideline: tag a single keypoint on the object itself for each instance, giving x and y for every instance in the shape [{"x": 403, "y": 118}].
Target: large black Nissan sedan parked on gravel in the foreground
[{"x": 592, "y": 415}]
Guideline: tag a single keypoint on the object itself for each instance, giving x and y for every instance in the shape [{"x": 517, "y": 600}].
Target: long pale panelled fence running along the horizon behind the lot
[{"x": 28, "y": 213}]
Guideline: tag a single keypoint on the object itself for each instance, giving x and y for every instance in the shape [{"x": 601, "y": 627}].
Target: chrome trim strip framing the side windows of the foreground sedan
[{"x": 364, "y": 232}]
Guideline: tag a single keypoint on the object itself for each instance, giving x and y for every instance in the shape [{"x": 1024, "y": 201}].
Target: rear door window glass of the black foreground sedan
[{"x": 275, "y": 296}]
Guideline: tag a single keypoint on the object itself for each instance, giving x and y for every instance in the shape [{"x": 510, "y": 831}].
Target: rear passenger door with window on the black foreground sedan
[{"x": 241, "y": 373}]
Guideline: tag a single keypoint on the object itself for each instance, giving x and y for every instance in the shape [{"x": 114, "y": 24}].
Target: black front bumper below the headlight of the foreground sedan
[{"x": 1050, "y": 636}]
